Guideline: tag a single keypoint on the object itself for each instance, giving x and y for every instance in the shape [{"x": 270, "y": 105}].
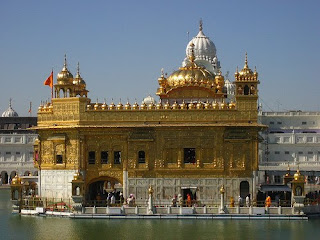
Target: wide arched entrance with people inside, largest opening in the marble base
[{"x": 100, "y": 191}]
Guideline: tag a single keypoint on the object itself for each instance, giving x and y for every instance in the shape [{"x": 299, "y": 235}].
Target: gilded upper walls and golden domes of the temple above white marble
[{"x": 219, "y": 138}]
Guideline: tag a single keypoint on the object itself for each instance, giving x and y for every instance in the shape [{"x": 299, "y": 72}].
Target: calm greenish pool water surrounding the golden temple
[{"x": 14, "y": 226}]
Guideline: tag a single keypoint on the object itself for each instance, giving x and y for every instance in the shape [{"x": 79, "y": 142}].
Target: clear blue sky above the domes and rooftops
[{"x": 122, "y": 45}]
